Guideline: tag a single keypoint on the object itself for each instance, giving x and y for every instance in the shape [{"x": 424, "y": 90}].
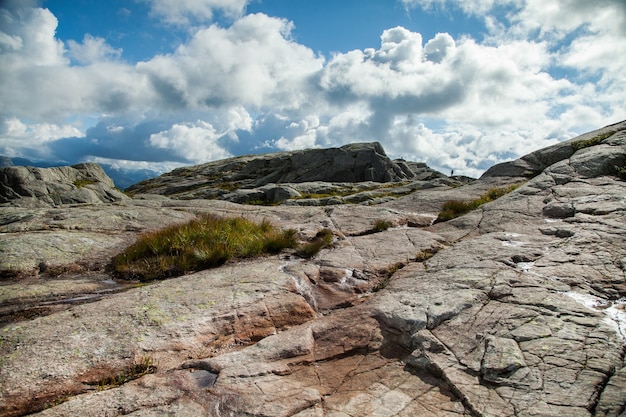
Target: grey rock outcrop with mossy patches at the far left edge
[{"x": 79, "y": 184}]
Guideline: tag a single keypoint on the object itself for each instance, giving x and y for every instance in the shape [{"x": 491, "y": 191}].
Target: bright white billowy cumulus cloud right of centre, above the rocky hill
[{"x": 398, "y": 74}]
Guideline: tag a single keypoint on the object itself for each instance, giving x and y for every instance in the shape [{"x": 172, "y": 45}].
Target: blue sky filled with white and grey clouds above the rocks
[{"x": 158, "y": 84}]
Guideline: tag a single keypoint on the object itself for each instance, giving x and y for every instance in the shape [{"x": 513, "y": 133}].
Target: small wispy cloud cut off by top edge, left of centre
[{"x": 186, "y": 12}]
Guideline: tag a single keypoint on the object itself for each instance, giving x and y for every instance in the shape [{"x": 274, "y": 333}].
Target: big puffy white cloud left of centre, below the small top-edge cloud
[{"x": 252, "y": 63}]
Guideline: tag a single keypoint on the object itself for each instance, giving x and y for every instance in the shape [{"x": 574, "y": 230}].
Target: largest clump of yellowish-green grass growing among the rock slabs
[{"x": 205, "y": 242}]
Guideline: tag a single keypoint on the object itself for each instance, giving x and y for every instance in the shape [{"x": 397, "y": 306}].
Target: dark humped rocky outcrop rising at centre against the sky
[{"x": 268, "y": 177}]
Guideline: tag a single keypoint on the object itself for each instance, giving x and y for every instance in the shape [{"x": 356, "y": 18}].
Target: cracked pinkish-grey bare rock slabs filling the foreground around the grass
[{"x": 514, "y": 309}]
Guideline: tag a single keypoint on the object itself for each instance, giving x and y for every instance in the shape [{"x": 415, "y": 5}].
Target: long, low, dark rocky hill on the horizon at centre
[{"x": 356, "y": 170}]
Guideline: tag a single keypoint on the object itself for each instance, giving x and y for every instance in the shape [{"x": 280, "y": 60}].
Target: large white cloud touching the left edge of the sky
[{"x": 38, "y": 82}]
